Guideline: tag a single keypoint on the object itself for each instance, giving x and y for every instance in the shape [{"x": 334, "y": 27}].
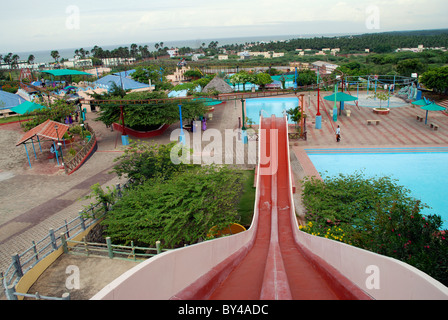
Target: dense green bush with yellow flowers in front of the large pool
[{"x": 379, "y": 215}]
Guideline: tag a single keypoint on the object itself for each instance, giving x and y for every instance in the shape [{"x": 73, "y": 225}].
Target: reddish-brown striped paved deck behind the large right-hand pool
[{"x": 398, "y": 129}]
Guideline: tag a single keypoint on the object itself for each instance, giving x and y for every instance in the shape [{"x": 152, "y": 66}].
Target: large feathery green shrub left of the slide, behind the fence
[{"x": 177, "y": 211}]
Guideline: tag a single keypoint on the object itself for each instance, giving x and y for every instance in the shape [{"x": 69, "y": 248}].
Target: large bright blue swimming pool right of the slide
[{"x": 423, "y": 171}]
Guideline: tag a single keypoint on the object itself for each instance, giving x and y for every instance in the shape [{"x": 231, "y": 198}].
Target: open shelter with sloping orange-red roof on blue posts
[{"x": 47, "y": 131}]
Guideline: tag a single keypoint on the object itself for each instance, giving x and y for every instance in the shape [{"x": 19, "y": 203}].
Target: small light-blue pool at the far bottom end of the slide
[{"x": 269, "y": 106}]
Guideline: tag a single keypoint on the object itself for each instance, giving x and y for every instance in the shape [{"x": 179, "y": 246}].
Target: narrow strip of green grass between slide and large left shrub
[{"x": 247, "y": 201}]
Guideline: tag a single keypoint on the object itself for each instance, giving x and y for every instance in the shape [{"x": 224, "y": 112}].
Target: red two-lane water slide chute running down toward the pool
[{"x": 274, "y": 266}]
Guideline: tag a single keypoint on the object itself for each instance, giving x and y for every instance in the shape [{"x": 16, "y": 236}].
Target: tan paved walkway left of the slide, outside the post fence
[{"x": 43, "y": 197}]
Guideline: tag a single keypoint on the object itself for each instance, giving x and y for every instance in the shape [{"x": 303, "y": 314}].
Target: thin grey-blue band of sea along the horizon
[{"x": 43, "y": 56}]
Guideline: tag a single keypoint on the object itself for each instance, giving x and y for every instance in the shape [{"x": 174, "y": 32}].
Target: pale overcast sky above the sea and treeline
[{"x": 48, "y": 25}]
